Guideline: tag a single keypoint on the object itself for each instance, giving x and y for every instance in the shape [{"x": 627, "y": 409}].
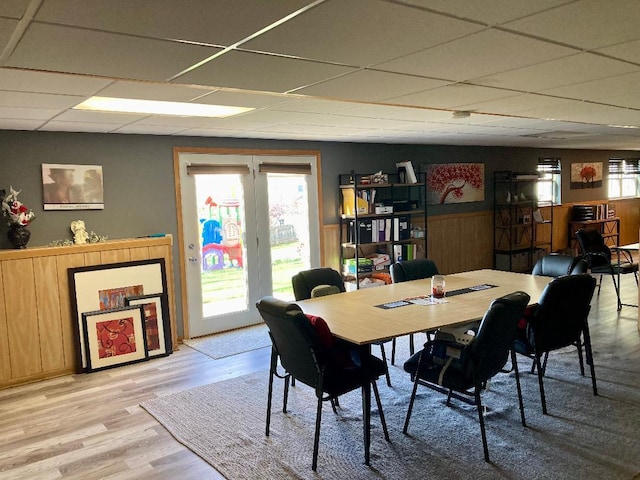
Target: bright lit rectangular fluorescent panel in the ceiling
[{"x": 155, "y": 107}]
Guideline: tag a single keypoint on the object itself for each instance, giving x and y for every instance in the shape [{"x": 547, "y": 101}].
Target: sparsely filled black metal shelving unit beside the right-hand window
[{"x": 523, "y": 228}]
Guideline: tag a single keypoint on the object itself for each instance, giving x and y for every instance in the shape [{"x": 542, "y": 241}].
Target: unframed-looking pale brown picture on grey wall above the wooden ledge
[{"x": 72, "y": 187}]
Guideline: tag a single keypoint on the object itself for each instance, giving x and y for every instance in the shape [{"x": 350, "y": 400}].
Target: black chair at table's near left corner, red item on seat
[{"x": 306, "y": 356}]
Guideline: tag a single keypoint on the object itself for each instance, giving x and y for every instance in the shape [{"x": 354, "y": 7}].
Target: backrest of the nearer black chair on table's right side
[{"x": 489, "y": 350}]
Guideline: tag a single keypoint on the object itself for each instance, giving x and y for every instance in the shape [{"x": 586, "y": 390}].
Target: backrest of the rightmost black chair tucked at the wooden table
[{"x": 562, "y": 311}]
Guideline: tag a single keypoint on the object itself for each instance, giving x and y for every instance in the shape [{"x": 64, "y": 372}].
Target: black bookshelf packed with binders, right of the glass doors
[{"x": 377, "y": 221}]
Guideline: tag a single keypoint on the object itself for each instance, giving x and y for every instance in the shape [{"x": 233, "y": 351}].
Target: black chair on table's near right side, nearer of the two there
[{"x": 481, "y": 359}]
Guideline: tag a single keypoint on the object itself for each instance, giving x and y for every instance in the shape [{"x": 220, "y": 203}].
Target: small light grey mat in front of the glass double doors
[{"x": 232, "y": 342}]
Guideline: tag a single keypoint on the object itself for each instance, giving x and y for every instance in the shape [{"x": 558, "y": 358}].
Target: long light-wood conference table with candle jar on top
[{"x": 358, "y": 318}]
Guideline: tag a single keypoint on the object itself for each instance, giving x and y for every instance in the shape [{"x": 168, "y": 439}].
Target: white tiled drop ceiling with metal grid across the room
[{"x": 544, "y": 73}]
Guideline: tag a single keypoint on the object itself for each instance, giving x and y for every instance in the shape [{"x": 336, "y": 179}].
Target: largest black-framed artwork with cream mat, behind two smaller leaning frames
[{"x": 105, "y": 287}]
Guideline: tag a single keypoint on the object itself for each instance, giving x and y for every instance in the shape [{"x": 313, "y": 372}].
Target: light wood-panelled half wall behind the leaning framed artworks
[{"x": 37, "y": 326}]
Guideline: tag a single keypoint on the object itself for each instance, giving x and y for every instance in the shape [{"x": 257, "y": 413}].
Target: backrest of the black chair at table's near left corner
[{"x": 294, "y": 338}]
